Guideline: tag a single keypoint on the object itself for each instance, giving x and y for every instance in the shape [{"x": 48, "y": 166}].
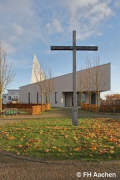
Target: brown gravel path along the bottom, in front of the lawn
[{"x": 15, "y": 167}]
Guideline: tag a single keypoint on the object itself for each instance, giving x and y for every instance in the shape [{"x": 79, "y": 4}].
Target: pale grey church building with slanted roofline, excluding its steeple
[{"x": 88, "y": 80}]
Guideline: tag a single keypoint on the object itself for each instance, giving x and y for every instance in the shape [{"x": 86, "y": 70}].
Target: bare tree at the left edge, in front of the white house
[{"x": 6, "y": 73}]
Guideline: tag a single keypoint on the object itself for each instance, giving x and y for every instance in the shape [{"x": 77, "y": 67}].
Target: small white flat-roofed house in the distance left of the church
[{"x": 11, "y": 95}]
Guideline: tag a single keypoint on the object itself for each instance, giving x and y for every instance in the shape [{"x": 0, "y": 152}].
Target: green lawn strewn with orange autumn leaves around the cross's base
[{"x": 56, "y": 138}]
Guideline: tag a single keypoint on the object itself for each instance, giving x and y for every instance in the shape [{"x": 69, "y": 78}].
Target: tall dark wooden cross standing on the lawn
[{"x": 74, "y": 48}]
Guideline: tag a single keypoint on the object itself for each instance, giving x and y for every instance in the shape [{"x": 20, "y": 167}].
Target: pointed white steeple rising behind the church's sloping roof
[{"x": 37, "y": 74}]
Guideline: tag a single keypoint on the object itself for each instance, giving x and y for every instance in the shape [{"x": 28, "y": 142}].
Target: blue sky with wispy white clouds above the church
[{"x": 29, "y": 27}]
